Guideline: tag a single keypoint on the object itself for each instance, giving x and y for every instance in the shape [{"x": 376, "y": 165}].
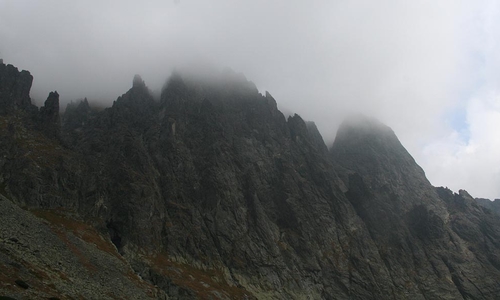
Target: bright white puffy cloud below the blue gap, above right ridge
[{"x": 456, "y": 161}]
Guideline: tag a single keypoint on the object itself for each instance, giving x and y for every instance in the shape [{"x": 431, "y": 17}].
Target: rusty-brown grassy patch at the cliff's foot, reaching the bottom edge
[{"x": 203, "y": 282}]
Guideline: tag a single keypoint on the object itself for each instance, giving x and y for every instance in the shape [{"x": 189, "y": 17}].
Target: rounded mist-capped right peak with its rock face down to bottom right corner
[{"x": 428, "y": 239}]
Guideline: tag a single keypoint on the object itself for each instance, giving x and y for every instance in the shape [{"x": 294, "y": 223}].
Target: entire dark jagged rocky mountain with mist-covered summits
[{"x": 211, "y": 193}]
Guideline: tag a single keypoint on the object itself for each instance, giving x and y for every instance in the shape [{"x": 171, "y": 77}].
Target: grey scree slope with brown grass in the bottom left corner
[{"x": 55, "y": 255}]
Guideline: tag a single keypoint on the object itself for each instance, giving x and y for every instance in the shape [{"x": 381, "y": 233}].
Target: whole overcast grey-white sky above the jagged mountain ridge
[{"x": 428, "y": 69}]
